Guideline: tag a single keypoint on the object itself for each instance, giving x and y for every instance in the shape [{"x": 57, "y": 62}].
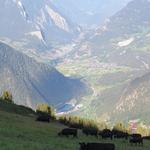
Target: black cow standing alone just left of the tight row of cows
[{"x": 69, "y": 131}]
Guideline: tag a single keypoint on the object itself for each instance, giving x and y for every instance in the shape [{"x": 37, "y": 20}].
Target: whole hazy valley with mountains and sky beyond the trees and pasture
[{"x": 89, "y": 58}]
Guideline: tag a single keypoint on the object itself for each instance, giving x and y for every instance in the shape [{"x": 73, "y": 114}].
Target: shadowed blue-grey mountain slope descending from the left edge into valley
[{"x": 31, "y": 82}]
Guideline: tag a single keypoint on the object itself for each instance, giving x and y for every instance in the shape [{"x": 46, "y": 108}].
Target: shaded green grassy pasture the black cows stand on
[{"x": 19, "y": 132}]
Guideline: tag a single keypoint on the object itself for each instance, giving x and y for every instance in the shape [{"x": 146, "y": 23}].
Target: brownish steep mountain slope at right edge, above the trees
[{"x": 135, "y": 101}]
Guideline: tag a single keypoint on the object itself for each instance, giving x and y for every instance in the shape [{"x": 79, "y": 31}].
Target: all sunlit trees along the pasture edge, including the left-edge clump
[{"x": 75, "y": 121}]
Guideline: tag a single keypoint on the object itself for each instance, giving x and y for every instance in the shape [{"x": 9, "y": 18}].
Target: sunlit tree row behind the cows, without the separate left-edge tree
[{"x": 83, "y": 123}]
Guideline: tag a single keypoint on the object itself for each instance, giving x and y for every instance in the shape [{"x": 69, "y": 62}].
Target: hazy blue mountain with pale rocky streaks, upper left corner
[{"x": 34, "y": 25}]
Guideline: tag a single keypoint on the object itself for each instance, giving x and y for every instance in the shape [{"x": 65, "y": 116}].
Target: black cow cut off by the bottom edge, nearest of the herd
[{"x": 97, "y": 146}]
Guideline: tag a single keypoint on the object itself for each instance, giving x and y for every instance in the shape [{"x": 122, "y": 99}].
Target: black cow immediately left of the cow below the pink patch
[{"x": 119, "y": 134}]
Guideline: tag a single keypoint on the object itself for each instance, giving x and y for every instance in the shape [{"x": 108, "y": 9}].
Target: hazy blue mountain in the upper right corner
[{"x": 133, "y": 18}]
